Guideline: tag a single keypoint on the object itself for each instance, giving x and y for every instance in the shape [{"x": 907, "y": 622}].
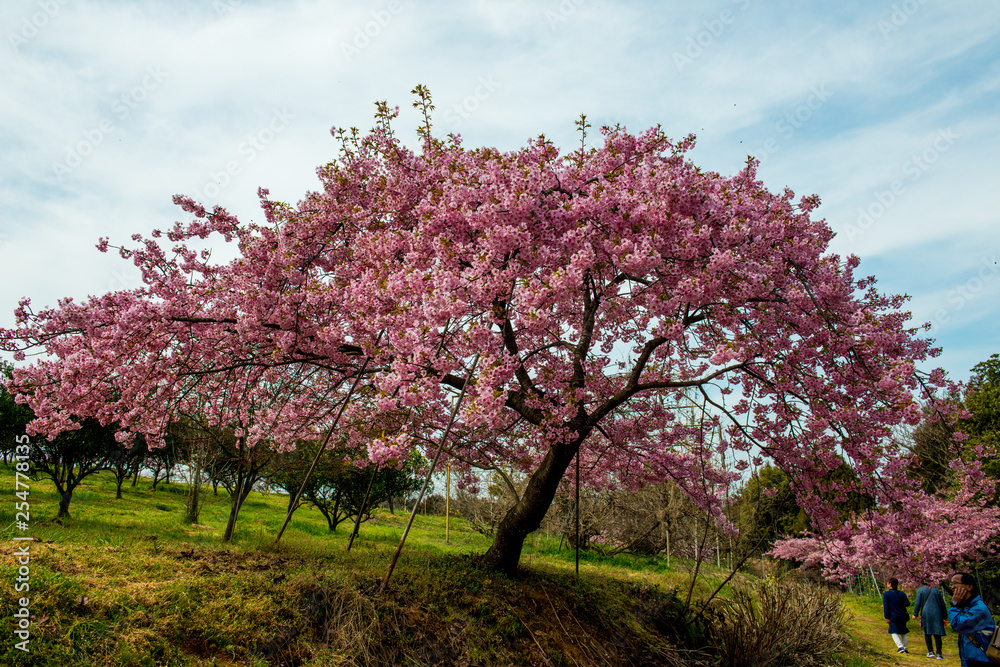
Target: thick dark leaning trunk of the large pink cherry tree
[{"x": 526, "y": 515}]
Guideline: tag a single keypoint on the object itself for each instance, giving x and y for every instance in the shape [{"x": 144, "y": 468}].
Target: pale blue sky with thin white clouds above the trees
[{"x": 888, "y": 110}]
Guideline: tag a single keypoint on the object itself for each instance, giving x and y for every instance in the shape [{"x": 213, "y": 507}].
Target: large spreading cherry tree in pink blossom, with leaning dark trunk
[{"x": 595, "y": 288}]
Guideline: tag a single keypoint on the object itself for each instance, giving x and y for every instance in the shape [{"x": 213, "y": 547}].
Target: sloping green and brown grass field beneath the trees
[{"x": 126, "y": 582}]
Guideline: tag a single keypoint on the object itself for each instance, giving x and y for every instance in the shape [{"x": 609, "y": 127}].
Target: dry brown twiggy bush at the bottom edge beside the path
[{"x": 780, "y": 622}]
